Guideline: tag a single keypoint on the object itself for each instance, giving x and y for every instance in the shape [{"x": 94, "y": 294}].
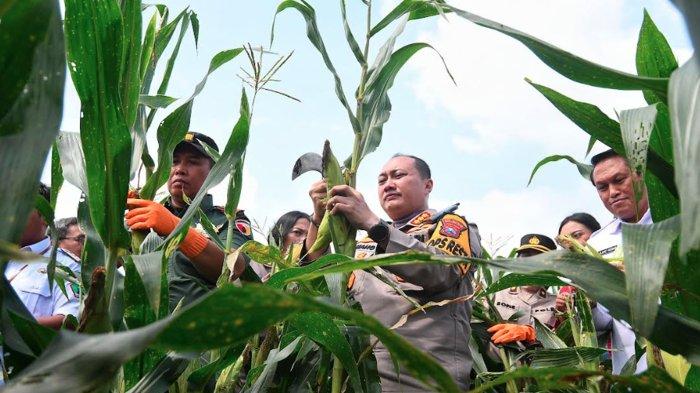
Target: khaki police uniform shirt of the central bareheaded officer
[{"x": 442, "y": 331}]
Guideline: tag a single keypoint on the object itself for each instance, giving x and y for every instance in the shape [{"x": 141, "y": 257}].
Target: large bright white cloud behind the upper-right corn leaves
[{"x": 492, "y": 100}]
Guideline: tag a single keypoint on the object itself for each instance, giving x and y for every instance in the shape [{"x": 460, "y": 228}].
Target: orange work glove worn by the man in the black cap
[{"x": 144, "y": 215}]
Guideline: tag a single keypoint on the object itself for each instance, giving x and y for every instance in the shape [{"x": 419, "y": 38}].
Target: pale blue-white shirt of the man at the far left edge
[{"x": 30, "y": 282}]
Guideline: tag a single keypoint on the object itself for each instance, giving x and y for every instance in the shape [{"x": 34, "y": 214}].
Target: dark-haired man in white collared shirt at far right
[{"x": 614, "y": 179}]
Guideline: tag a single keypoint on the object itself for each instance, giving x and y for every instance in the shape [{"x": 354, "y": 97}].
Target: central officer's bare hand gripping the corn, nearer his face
[{"x": 350, "y": 203}]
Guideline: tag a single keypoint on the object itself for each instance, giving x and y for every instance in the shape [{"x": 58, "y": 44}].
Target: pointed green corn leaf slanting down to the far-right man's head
[{"x": 597, "y": 124}]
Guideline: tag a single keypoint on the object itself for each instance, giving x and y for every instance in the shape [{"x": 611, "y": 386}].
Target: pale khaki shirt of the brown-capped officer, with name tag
[{"x": 538, "y": 305}]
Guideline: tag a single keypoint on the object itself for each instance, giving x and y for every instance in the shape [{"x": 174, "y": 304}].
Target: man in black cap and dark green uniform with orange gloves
[{"x": 198, "y": 262}]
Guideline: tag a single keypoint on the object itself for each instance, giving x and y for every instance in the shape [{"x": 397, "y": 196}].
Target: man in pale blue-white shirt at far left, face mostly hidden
[{"x": 30, "y": 281}]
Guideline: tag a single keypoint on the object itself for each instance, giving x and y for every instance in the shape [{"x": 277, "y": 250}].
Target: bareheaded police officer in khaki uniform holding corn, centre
[{"x": 404, "y": 185}]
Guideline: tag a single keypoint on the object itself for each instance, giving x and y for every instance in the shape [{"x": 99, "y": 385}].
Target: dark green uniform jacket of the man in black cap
[{"x": 185, "y": 282}]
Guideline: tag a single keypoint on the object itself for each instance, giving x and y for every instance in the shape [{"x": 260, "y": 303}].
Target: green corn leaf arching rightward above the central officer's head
[{"x": 376, "y": 104}]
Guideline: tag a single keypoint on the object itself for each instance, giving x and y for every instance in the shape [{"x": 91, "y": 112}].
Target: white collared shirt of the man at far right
[{"x": 608, "y": 242}]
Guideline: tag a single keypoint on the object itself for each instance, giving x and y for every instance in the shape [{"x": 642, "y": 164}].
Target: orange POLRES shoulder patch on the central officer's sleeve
[{"x": 452, "y": 237}]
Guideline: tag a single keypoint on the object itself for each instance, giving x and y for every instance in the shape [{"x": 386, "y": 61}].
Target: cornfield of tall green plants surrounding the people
[{"x": 298, "y": 330}]
